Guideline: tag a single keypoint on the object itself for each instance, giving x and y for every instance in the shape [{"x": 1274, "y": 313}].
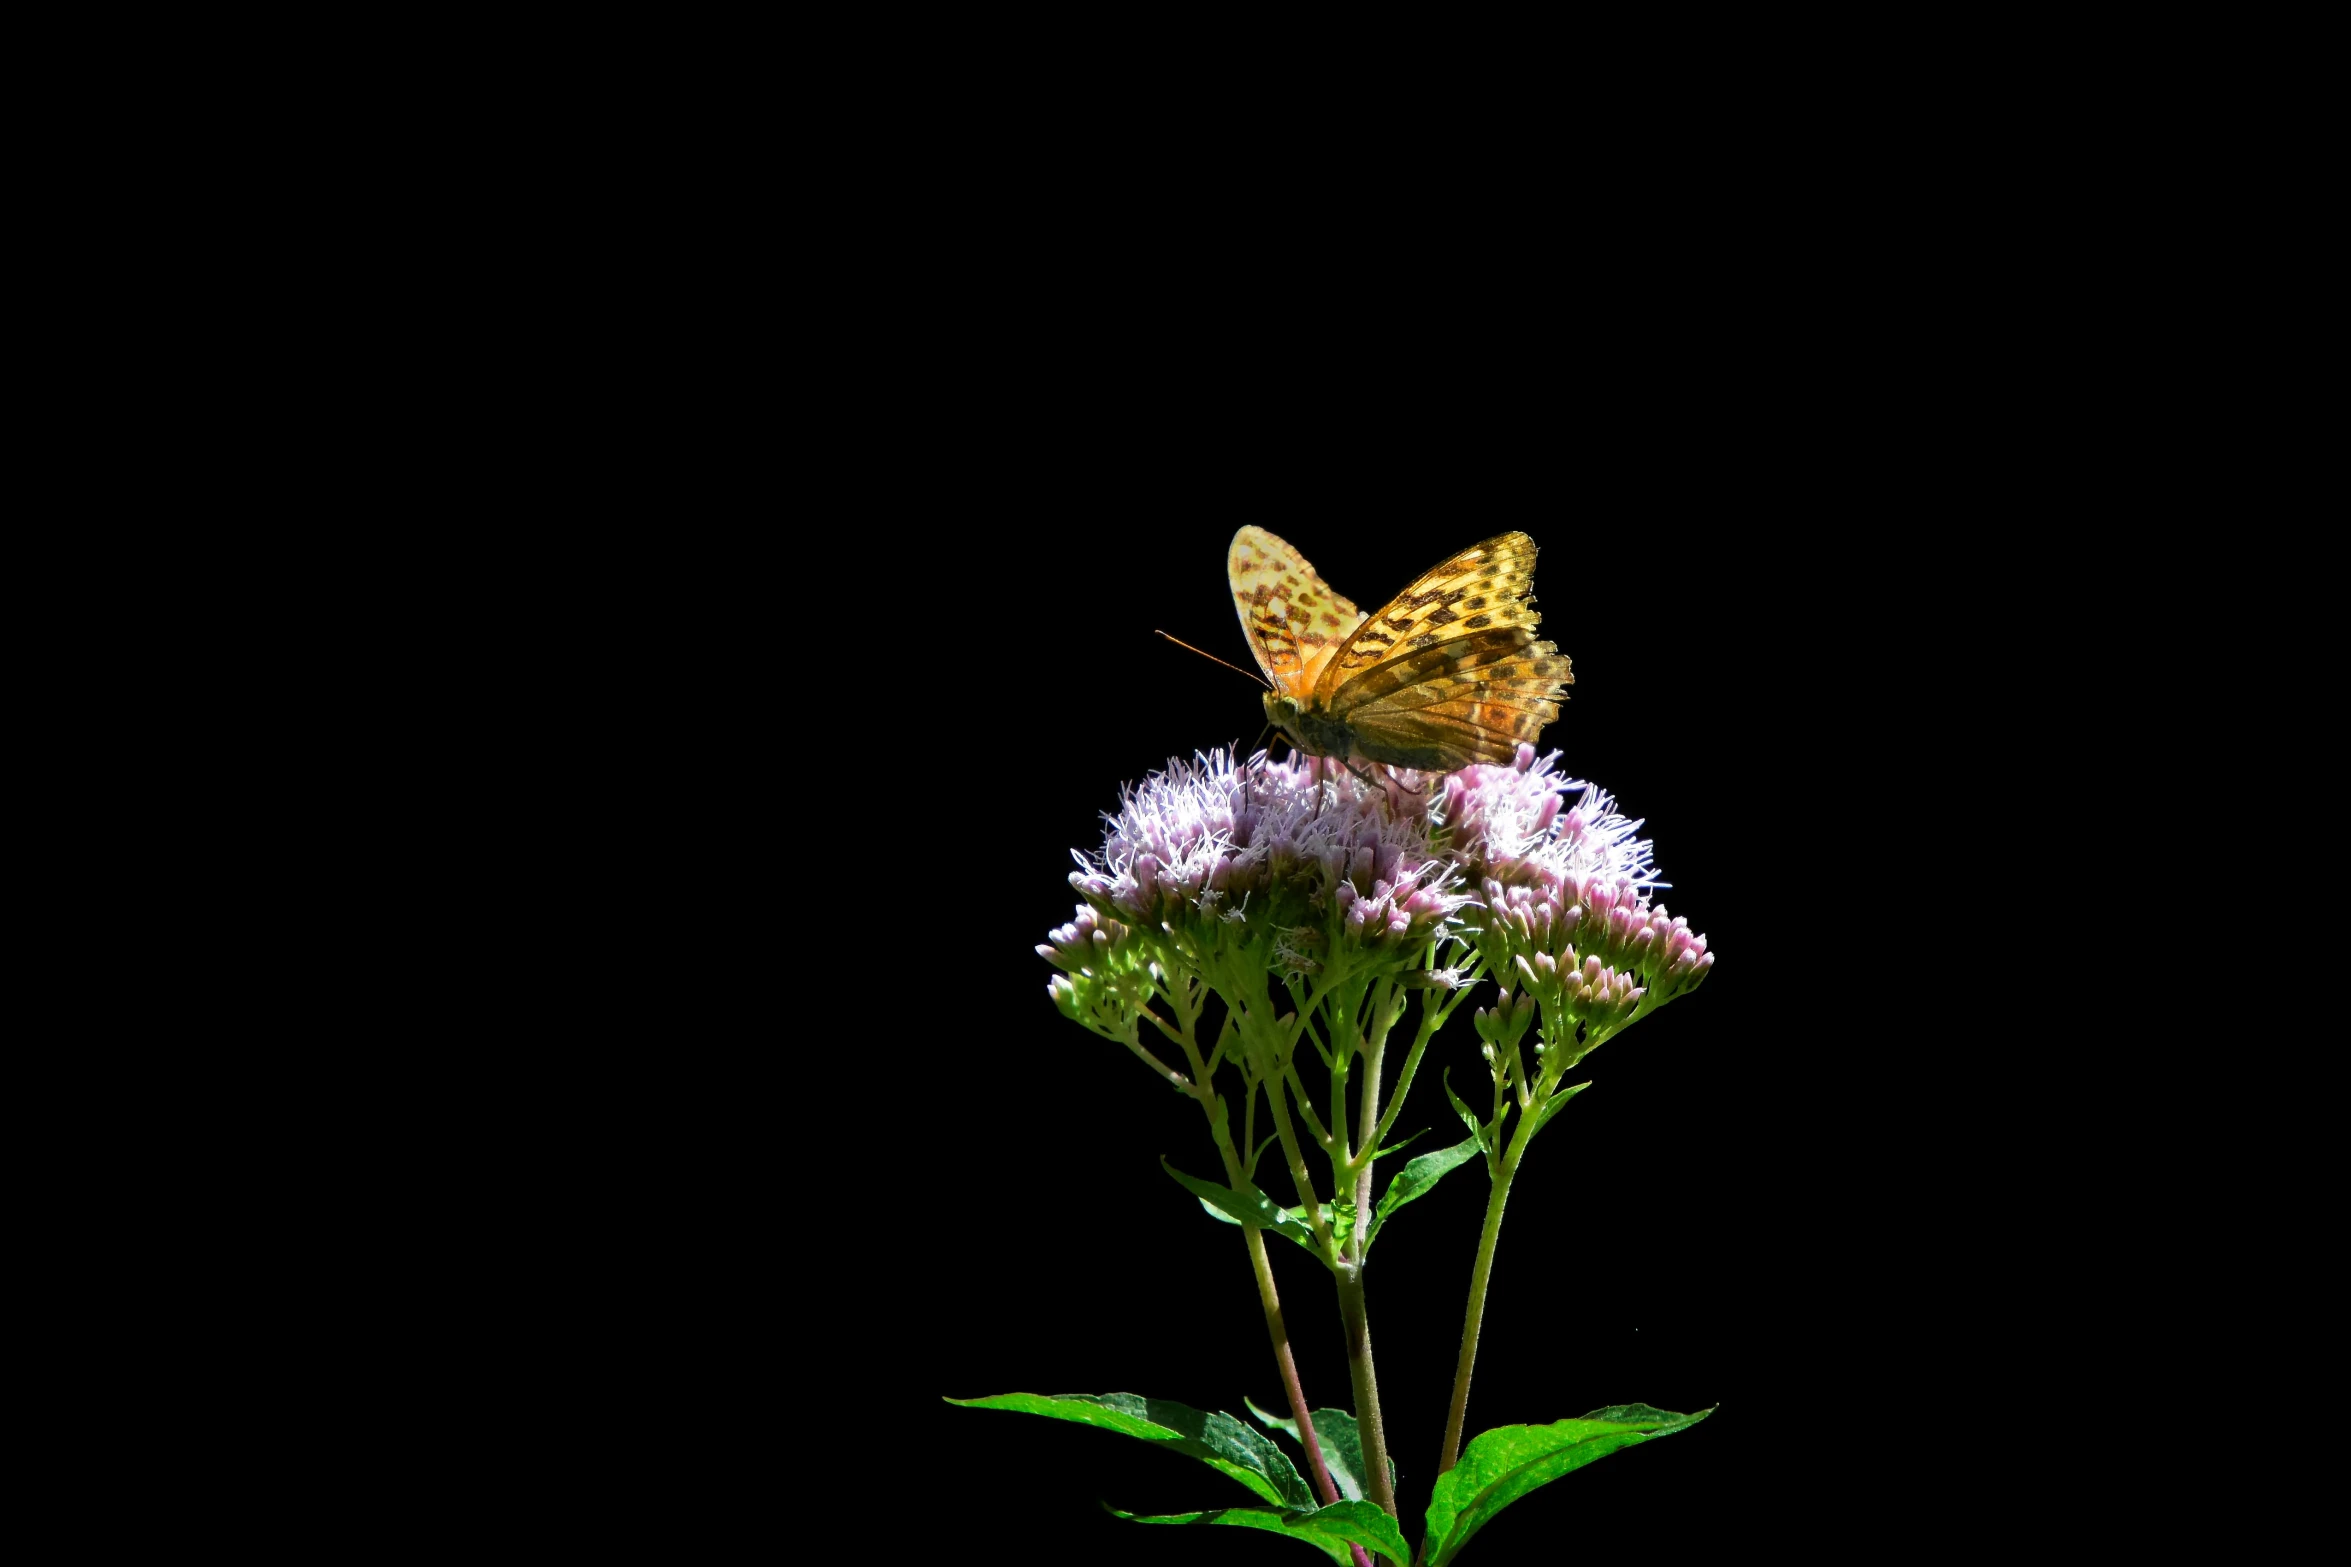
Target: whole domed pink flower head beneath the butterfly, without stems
[{"x": 1320, "y": 856}]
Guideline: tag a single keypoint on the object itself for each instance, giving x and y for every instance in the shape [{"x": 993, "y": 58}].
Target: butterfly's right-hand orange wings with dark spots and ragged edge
[{"x": 1449, "y": 671}]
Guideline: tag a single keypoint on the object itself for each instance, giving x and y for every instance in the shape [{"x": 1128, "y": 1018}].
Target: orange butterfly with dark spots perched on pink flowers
[{"x": 1445, "y": 675}]
